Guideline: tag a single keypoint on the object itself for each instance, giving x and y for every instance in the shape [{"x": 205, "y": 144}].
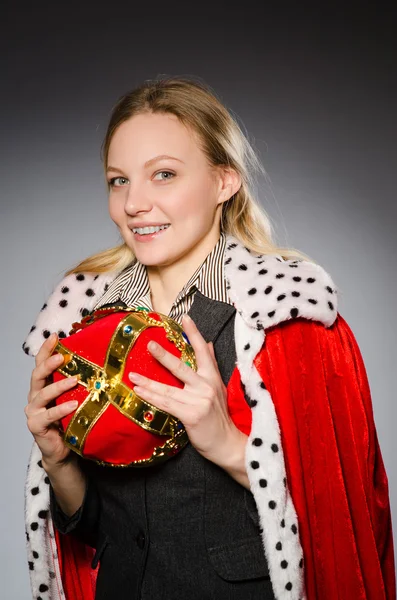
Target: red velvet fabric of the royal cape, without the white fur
[{"x": 318, "y": 383}]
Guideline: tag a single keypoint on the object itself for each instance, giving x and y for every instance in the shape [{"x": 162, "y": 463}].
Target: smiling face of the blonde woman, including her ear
[{"x": 181, "y": 192}]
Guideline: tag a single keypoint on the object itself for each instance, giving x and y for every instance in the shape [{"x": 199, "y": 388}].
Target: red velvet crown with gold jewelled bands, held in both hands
[{"x": 110, "y": 436}]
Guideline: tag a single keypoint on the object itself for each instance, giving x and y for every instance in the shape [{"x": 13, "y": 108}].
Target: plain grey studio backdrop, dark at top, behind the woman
[{"x": 316, "y": 93}]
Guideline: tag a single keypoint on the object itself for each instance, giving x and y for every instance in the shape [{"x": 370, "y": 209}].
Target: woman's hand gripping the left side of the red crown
[{"x": 43, "y": 422}]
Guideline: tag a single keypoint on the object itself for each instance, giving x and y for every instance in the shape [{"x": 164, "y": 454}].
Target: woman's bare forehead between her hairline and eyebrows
[{"x": 144, "y": 136}]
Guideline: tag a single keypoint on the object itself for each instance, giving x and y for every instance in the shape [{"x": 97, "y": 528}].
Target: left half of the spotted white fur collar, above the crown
[{"x": 71, "y": 299}]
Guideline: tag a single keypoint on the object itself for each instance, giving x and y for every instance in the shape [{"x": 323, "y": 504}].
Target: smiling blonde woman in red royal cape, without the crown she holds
[{"x": 282, "y": 492}]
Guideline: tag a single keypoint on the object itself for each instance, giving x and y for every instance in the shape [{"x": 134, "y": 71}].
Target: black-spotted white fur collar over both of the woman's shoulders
[{"x": 265, "y": 290}]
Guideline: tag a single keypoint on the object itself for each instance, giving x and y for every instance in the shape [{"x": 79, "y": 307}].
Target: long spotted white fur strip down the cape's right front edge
[{"x": 264, "y": 461}]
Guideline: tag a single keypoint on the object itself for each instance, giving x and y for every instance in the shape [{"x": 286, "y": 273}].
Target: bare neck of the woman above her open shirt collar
[{"x": 166, "y": 281}]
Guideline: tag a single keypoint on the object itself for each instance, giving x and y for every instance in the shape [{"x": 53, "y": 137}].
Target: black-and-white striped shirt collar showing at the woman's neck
[{"x": 132, "y": 285}]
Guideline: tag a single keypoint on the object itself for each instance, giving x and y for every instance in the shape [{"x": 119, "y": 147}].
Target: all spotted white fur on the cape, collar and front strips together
[{"x": 265, "y": 290}]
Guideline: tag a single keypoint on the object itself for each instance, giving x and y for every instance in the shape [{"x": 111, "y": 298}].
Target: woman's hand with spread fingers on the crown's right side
[{"x": 201, "y": 404}]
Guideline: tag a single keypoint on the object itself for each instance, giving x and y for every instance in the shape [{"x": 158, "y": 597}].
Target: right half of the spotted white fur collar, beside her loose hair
[{"x": 268, "y": 290}]
